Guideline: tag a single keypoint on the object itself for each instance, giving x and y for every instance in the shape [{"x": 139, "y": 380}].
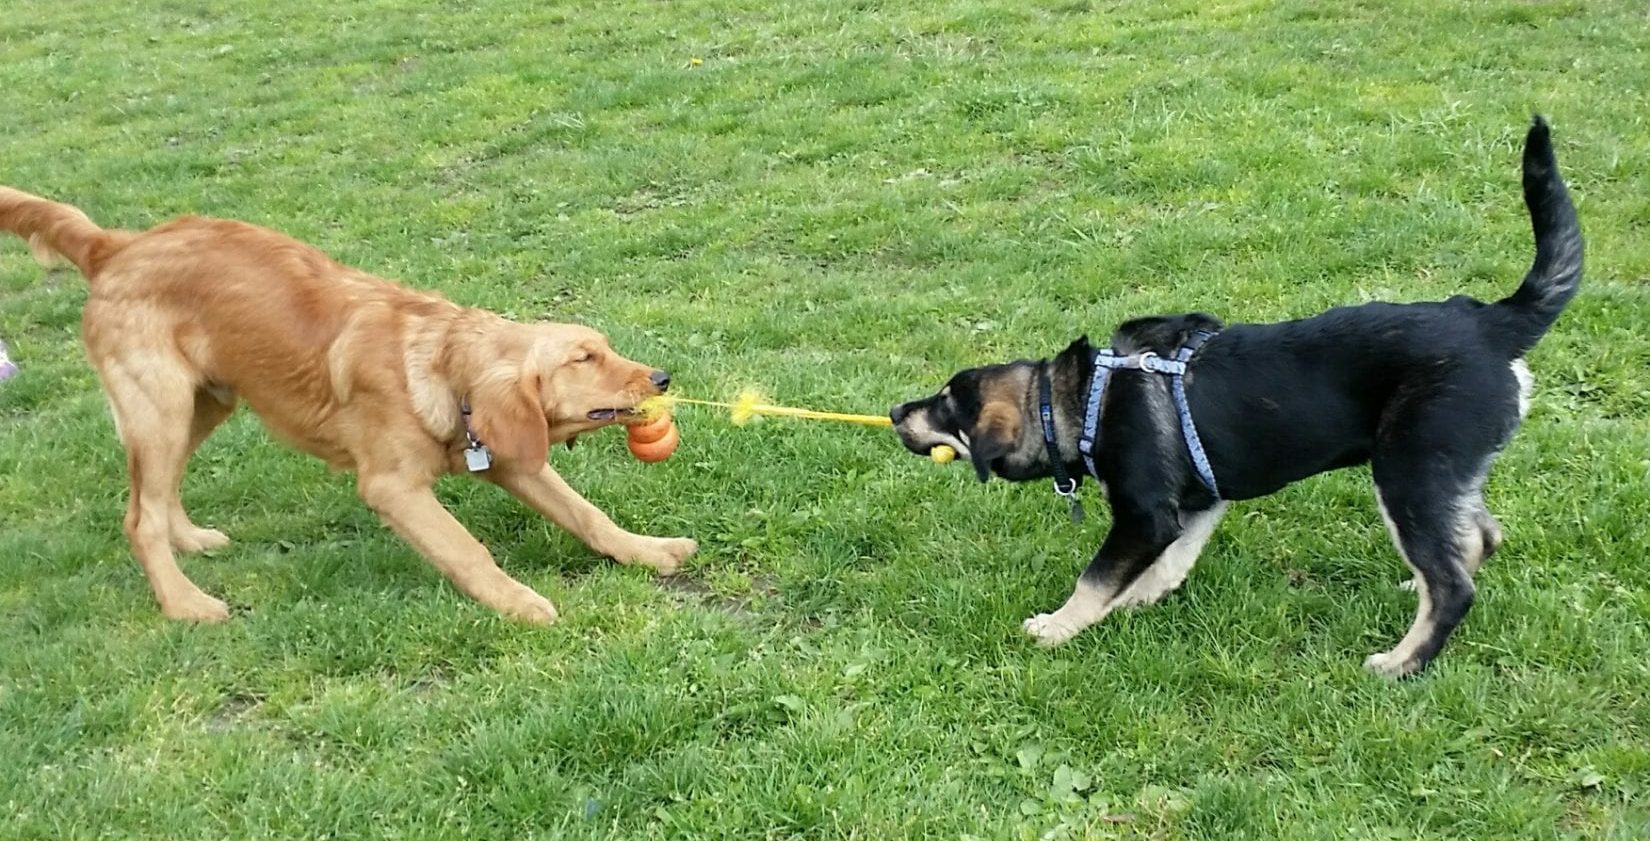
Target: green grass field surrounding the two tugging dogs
[{"x": 841, "y": 202}]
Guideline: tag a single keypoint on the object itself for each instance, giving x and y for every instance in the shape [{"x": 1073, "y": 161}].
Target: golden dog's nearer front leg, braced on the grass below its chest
[{"x": 413, "y": 512}]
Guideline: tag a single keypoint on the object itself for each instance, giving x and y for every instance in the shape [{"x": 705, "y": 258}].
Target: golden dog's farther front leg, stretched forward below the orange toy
[{"x": 550, "y": 496}]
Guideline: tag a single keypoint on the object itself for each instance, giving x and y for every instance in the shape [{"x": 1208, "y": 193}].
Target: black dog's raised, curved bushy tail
[{"x": 1525, "y": 316}]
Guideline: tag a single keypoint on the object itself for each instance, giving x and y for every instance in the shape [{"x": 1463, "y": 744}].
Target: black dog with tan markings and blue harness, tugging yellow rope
[{"x": 1426, "y": 393}]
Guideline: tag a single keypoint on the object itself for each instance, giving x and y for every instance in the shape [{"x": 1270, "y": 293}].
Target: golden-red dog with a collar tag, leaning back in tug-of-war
[{"x": 197, "y": 314}]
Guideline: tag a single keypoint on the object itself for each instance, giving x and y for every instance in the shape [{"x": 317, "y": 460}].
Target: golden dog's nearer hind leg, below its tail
[{"x": 151, "y": 397}]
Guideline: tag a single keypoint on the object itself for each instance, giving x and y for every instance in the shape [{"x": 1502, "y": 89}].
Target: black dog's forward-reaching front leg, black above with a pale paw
[{"x": 1131, "y": 547}]
